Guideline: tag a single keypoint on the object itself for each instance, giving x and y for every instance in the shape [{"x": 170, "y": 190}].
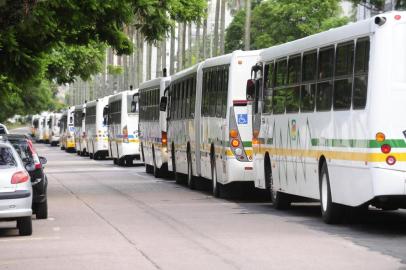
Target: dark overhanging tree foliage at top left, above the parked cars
[{"x": 59, "y": 40}]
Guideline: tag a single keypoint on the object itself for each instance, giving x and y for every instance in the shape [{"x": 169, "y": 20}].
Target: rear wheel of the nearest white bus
[{"x": 331, "y": 213}]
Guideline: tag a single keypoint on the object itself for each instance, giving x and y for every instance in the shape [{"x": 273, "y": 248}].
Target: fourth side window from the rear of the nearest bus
[{"x": 309, "y": 76}]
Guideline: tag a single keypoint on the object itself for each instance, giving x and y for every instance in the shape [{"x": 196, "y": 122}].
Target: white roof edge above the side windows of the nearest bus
[{"x": 342, "y": 33}]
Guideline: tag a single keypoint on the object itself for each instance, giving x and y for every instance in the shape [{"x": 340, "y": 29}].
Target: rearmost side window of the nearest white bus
[{"x": 359, "y": 96}]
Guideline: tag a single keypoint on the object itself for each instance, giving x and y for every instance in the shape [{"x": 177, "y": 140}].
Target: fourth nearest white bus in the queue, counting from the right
[{"x": 122, "y": 120}]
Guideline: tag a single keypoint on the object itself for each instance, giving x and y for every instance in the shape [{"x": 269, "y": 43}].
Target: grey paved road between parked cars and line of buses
[{"x": 106, "y": 217}]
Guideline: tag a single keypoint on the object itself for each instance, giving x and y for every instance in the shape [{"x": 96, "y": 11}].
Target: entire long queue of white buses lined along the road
[{"x": 308, "y": 120}]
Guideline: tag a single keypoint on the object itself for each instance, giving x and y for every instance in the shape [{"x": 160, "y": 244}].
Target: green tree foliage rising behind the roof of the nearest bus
[{"x": 279, "y": 21}]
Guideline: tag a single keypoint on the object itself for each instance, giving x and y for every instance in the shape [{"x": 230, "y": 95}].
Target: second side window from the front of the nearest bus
[{"x": 279, "y": 94}]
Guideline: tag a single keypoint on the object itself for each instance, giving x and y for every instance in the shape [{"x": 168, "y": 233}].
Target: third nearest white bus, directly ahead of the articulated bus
[{"x": 153, "y": 126}]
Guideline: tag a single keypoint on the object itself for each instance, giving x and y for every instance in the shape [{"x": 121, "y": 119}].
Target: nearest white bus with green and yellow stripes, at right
[{"x": 326, "y": 124}]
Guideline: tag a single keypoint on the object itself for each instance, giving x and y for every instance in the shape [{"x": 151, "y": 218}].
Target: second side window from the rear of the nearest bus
[{"x": 343, "y": 76}]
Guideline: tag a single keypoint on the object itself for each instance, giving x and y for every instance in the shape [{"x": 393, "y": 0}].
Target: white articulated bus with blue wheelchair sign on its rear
[{"x": 209, "y": 126}]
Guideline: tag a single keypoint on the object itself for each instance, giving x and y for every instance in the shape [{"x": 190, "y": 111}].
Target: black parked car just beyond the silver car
[{"x": 24, "y": 147}]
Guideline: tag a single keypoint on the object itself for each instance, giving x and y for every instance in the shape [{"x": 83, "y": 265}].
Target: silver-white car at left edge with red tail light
[{"x": 15, "y": 189}]
